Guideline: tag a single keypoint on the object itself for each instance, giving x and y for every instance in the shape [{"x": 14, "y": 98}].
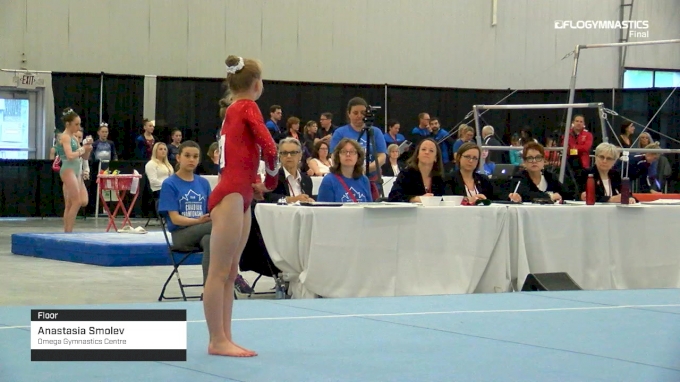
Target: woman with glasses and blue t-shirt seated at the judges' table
[{"x": 346, "y": 183}]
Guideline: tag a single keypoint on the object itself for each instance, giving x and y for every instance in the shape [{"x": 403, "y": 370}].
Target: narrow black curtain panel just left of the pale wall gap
[{"x": 122, "y": 109}]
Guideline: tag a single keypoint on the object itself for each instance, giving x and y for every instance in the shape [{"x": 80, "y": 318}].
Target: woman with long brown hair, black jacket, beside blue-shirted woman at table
[{"x": 422, "y": 175}]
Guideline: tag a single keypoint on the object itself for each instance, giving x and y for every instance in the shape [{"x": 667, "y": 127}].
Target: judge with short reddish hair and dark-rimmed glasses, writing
[{"x": 535, "y": 181}]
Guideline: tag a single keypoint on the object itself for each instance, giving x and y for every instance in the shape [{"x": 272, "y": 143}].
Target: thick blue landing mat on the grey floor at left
[{"x": 105, "y": 249}]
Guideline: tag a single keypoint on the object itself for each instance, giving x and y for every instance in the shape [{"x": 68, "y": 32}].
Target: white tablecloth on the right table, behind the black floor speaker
[{"x": 600, "y": 247}]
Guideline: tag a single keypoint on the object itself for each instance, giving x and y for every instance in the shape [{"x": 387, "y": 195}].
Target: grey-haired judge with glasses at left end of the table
[{"x": 294, "y": 185}]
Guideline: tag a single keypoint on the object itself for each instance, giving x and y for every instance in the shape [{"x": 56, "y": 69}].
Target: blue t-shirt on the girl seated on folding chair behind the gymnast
[{"x": 189, "y": 199}]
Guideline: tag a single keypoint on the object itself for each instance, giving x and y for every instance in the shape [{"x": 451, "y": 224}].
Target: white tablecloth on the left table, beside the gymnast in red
[{"x": 358, "y": 251}]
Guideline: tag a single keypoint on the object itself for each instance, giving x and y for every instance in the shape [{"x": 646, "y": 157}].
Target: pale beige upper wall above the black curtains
[{"x": 446, "y": 43}]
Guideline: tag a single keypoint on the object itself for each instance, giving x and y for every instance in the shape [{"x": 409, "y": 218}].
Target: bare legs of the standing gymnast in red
[{"x": 227, "y": 218}]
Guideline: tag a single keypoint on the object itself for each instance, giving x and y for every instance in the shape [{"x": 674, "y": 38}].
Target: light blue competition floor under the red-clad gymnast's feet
[{"x": 542, "y": 336}]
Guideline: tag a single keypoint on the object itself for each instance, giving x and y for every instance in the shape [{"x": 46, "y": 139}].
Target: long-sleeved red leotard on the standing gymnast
[{"x": 243, "y": 130}]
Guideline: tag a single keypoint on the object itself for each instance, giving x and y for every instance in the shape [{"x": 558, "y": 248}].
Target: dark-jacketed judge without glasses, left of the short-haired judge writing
[{"x": 466, "y": 181}]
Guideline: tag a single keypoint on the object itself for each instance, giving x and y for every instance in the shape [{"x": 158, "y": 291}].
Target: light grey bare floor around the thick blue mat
[{"x": 33, "y": 281}]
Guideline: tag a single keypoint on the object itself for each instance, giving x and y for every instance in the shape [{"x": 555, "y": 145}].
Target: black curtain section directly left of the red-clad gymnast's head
[{"x": 191, "y": 105}]
